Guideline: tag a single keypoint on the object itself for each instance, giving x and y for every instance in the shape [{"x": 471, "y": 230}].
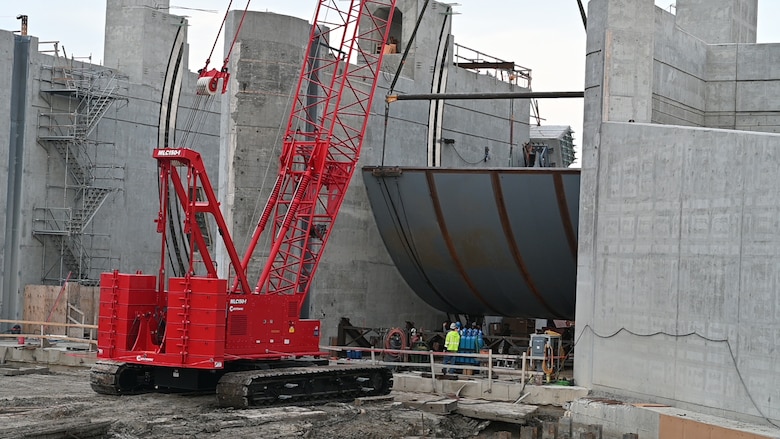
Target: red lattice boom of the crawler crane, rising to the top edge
[{"x": 322, "y": 142}]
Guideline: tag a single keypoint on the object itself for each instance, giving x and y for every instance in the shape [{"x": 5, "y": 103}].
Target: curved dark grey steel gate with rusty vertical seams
[{"x": 499, "y": 242}]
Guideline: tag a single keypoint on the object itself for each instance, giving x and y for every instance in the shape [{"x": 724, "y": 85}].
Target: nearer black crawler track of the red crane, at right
[{"x": 287, "y": 386}]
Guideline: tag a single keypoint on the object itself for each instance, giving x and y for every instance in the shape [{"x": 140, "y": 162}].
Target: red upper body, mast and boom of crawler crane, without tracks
[{"x": 199, "y": 321}]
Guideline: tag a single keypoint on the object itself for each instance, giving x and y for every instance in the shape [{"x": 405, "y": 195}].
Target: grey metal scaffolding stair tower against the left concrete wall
[{"x": 83, "y": 171}]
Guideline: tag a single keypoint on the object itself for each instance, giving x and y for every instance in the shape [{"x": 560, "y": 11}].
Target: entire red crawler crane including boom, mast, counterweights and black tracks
[{"x": 196, "y": 331}]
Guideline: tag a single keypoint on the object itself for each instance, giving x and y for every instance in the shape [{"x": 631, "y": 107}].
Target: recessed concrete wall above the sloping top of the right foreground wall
[{"x": 723, "y": 85}]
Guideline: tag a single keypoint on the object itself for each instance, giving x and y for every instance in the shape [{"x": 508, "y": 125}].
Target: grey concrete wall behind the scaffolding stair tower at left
[{"x": 123, "y": 228}]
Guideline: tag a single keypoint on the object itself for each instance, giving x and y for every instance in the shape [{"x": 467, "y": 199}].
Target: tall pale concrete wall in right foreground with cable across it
[{"x": 677, "y": 298}]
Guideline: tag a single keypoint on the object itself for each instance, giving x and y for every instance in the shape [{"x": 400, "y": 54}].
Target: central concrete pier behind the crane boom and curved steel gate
[{"x": 356, "y": 277}]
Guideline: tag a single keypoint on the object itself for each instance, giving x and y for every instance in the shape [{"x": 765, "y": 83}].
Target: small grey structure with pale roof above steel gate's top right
[{"x": 550, "y": 146}]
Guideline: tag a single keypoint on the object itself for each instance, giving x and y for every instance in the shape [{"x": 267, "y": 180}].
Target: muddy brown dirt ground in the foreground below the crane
[{"x": 35, "y": 405}]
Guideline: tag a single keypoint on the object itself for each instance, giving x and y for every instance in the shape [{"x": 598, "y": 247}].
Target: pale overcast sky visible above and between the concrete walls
[{"x": 546, "y": 36}]
